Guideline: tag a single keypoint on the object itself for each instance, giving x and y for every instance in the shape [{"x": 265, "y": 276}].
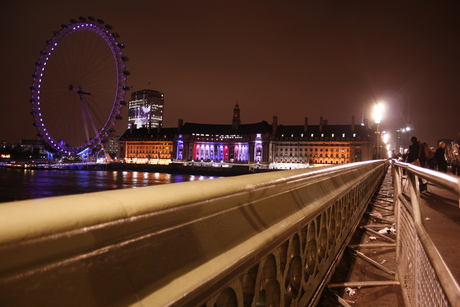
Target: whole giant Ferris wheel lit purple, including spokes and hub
[{"x": 79, "y": 85}]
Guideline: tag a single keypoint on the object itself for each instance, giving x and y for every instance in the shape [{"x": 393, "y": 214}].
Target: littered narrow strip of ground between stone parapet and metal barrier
[{"x": 366, "y": 273}]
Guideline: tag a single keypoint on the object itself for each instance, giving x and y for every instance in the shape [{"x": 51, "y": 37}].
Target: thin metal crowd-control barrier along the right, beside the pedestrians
[{"x": 424, "y": 276}]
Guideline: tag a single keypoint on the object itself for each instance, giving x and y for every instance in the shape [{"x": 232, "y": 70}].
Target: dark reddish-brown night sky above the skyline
[{"x": 287, "y": 58}]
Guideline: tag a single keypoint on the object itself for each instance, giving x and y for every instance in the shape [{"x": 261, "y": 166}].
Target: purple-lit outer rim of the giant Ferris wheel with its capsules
[{"x": 95, "y": 26}]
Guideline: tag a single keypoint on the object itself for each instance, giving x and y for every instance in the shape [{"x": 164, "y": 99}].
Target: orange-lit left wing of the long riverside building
[{"x": 144, "y": 146}]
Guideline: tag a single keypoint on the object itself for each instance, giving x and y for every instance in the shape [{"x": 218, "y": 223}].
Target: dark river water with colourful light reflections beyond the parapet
[{"x": 20, "y": 184}]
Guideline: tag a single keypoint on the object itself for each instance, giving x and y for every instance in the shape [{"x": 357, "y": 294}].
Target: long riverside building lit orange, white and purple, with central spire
[{"x": 258, "y": 145}]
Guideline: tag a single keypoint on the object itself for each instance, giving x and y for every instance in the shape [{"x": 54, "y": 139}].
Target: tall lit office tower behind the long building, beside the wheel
[{"x": 145, "y": 109}]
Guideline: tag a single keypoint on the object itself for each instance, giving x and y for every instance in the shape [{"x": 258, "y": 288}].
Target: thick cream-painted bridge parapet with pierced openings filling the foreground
[{"x": 269, "y": 239}]
